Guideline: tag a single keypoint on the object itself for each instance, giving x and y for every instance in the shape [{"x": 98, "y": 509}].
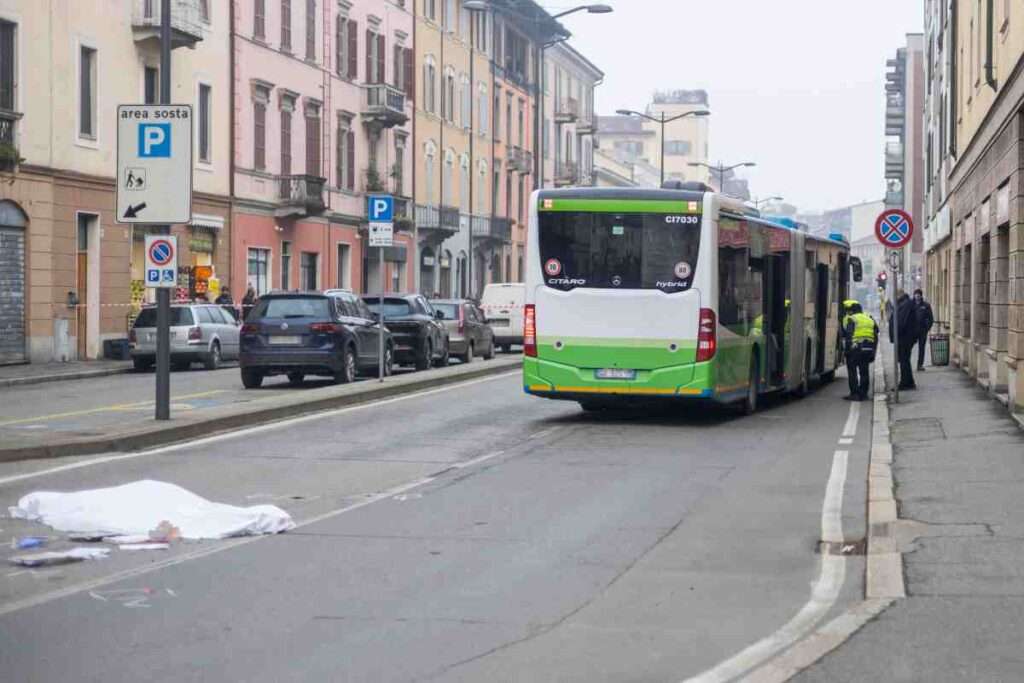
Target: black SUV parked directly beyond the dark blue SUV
[{"x": 420, "y": 338}]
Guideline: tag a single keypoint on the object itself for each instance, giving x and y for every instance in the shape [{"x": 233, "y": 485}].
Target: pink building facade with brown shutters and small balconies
[{"x": 322, "y": 119}]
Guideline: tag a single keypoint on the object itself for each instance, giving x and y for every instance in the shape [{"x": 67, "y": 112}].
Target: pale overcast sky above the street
[{"x": 797, "y": 87}]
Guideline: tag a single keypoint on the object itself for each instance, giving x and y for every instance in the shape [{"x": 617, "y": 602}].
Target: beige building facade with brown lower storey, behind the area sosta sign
[{"x": 72, "y": 275}]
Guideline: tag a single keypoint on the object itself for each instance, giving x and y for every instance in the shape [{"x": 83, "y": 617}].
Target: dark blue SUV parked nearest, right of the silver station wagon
[{"x": 310, "y": 333}]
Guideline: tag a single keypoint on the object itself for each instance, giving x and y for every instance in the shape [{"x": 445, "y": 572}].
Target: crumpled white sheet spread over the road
[{"x": 140, "y": 507}]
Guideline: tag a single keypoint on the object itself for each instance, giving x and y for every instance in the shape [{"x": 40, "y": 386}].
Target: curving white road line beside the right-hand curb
[{"x": 824, "y": 594}]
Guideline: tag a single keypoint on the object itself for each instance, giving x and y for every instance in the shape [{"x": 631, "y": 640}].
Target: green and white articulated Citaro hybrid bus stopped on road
[{"x": 684, "y": 294}]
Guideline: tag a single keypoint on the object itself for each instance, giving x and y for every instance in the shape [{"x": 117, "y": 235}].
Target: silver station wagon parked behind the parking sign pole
[{"x": 200, "y": 333}]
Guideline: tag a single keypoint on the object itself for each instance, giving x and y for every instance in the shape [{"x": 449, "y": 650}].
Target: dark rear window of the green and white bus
[{"x": 619, "y": 251}]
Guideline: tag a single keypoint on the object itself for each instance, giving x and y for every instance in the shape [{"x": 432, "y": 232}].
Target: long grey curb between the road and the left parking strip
[{"x": 246, "y": 415}]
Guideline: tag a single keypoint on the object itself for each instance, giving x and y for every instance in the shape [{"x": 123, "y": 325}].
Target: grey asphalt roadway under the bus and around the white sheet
[{"x": 471, "y": 534}]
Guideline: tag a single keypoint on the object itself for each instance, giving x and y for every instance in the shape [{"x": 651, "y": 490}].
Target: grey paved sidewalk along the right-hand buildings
[{"x": 959, "y": 466}]
